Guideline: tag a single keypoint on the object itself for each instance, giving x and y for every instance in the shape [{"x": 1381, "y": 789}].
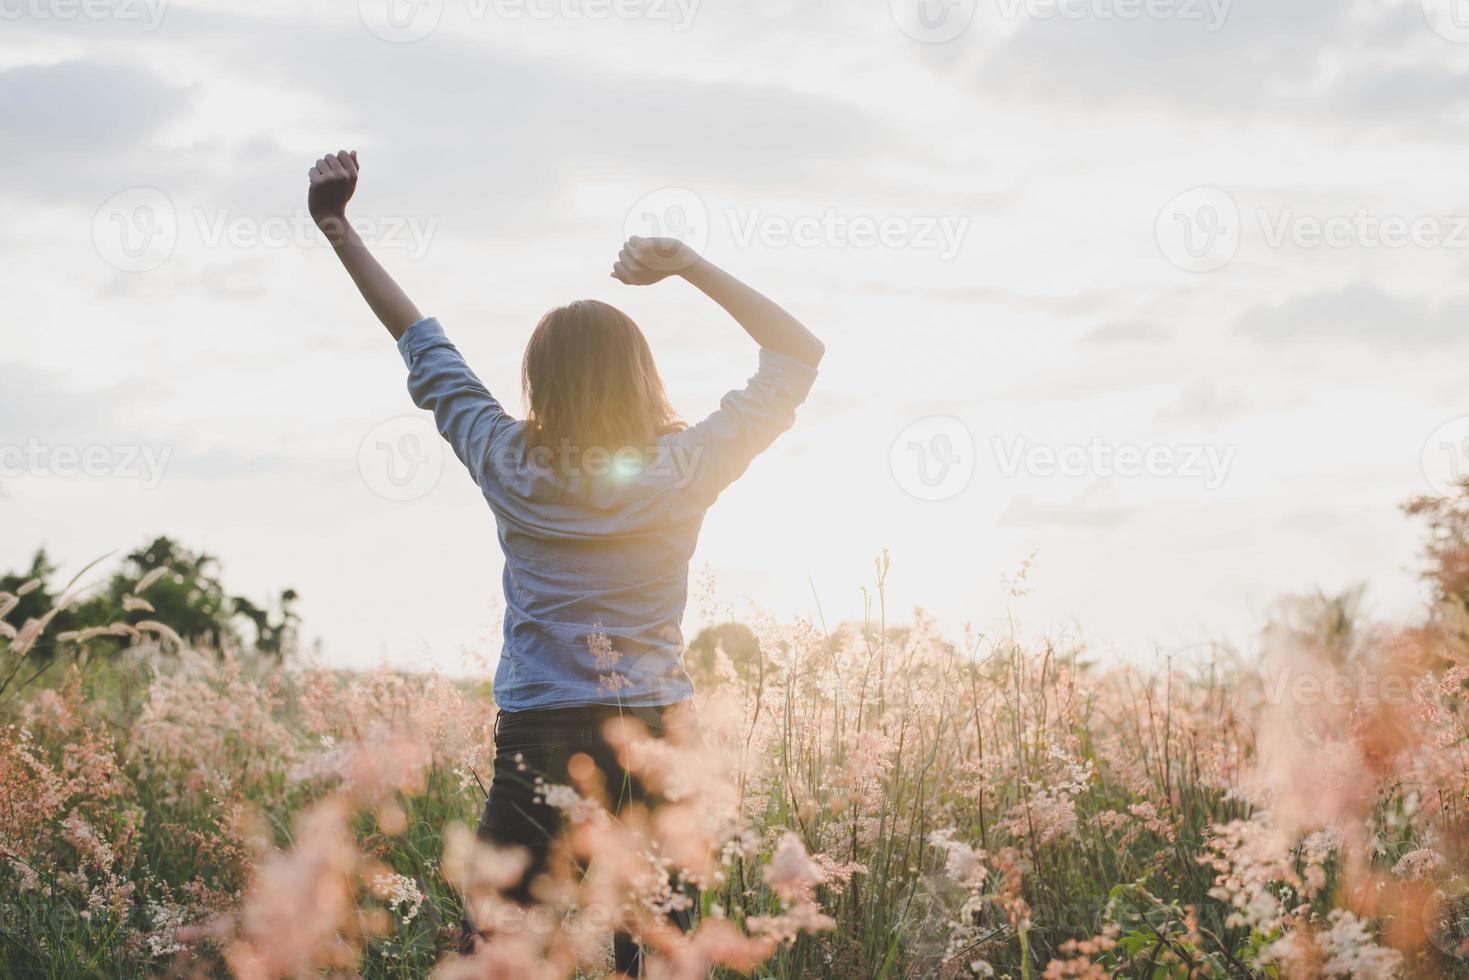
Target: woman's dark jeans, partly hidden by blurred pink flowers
[{"x": 531, "y": 744}]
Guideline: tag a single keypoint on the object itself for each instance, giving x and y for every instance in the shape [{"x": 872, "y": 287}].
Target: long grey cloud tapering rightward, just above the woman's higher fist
[{"x": 472, "y": 120}]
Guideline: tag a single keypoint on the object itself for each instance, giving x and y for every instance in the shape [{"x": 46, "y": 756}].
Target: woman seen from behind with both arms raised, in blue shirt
[{"x": 599, "y": 496}]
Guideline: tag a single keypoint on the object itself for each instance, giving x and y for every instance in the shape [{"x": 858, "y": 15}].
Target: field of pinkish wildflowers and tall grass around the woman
[{"x": 867, "y": 801}]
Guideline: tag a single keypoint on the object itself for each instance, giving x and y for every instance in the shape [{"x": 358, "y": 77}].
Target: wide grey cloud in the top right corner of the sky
[{"x": 1349, "y": 62}]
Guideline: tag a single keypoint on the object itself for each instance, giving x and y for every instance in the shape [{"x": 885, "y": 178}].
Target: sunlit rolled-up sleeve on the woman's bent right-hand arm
[{"x": 722, "y": 447}]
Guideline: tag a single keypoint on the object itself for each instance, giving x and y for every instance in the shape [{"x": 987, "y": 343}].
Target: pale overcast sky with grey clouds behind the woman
[{"x": 1170, "y": 293}]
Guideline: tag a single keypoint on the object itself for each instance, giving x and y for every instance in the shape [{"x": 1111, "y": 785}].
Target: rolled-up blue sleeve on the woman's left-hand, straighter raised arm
[{"x": 466, "y": 415}]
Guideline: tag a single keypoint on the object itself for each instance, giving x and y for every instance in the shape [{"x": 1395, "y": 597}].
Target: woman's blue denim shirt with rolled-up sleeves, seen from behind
[{"x": 597, "y": 553}]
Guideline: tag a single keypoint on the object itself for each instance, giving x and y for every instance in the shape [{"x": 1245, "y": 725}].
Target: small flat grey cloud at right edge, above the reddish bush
[{"x": 1360, "y": 315}]
